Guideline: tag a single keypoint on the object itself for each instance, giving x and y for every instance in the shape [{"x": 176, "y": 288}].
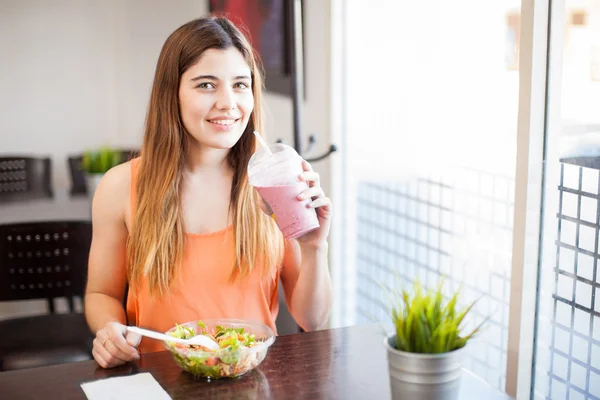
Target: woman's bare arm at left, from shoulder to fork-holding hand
[{"x": 107, "y": 275}]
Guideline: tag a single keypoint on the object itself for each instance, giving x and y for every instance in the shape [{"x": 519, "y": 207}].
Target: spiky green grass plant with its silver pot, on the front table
[{"x": 425, "y": 351}]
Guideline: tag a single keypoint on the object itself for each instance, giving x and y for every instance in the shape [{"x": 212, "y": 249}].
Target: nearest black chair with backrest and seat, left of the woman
[{"x": 45, "y": 260}]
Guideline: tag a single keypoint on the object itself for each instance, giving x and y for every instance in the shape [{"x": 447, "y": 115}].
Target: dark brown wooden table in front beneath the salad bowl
[{"x": 345, "y": 363}]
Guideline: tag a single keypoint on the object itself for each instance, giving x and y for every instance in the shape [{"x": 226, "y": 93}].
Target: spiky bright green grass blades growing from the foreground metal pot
[{"x": 426, "y": 323}]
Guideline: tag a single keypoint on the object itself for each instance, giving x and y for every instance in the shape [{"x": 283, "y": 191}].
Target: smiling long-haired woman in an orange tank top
[{"x": 184, "y": 216}]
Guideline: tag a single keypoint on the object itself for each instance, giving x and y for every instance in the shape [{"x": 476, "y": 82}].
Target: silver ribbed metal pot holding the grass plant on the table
[{"x": 423, "y": 376}]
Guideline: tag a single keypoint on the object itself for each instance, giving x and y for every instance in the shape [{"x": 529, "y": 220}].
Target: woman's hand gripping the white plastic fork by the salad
[{"x": 114, "y": 345}]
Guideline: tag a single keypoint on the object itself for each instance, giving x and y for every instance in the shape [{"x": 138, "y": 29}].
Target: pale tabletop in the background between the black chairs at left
[{"x": 62, "y": 206}]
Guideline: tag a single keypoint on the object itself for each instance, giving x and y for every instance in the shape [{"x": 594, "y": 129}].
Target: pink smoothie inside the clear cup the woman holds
[{"x": 293, "y": 216}]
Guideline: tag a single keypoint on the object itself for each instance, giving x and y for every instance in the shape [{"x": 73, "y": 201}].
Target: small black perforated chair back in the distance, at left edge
[{"x": 24, "y": 178}]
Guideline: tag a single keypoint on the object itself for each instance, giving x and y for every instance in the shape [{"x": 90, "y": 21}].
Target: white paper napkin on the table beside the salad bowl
[{"x": 138, "y": 386}]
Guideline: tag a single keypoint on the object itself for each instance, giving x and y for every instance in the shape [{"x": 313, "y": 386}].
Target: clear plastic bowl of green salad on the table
[{"x": 243, "y": 346}]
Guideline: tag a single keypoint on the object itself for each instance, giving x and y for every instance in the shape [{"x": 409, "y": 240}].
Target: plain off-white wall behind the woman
[{"x": 76, "y": 74}]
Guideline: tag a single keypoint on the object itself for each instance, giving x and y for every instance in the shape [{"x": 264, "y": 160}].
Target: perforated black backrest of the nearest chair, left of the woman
[{"x": 44, "y": 260}]
